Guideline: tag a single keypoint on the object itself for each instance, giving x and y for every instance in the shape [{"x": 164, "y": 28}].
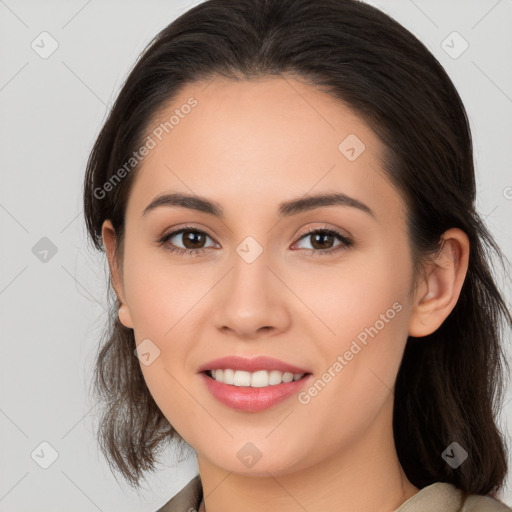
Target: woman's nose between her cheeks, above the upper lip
[{"x": 251, "y": 300}]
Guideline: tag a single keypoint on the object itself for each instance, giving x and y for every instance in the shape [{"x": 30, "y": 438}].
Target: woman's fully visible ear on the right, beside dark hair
[{"x": 438, "y": 292}]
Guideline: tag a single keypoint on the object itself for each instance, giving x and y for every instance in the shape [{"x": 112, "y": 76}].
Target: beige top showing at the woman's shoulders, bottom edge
[{"x": 437, "y": 497}]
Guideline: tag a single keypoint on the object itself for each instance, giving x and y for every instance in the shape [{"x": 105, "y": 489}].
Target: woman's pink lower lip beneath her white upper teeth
[{"x": 247, "y": 398}]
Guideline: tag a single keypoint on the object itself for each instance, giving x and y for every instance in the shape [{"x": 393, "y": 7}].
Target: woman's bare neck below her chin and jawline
[{"x": 364, "y": 475}]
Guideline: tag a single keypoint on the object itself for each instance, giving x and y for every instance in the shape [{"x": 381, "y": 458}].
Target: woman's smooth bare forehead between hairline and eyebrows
[{"x": 250, "y": 143}]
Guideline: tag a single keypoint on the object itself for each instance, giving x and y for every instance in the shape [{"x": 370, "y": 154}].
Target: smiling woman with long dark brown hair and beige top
[{"x": 285, "y": 193}]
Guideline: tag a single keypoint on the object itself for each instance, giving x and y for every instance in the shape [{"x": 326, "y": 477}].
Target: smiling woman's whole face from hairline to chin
[{"x": 258, "y": 283}]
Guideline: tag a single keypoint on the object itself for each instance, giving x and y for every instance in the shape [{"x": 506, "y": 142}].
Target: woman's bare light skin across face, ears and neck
[{"x": 249, "y": 145}]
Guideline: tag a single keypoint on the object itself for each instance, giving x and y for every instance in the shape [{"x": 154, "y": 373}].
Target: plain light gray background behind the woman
[{"x": 52, "y": 312}]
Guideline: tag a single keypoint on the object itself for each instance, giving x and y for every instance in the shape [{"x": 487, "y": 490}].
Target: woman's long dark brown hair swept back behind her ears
[{"x": 450, "y": 383}]
